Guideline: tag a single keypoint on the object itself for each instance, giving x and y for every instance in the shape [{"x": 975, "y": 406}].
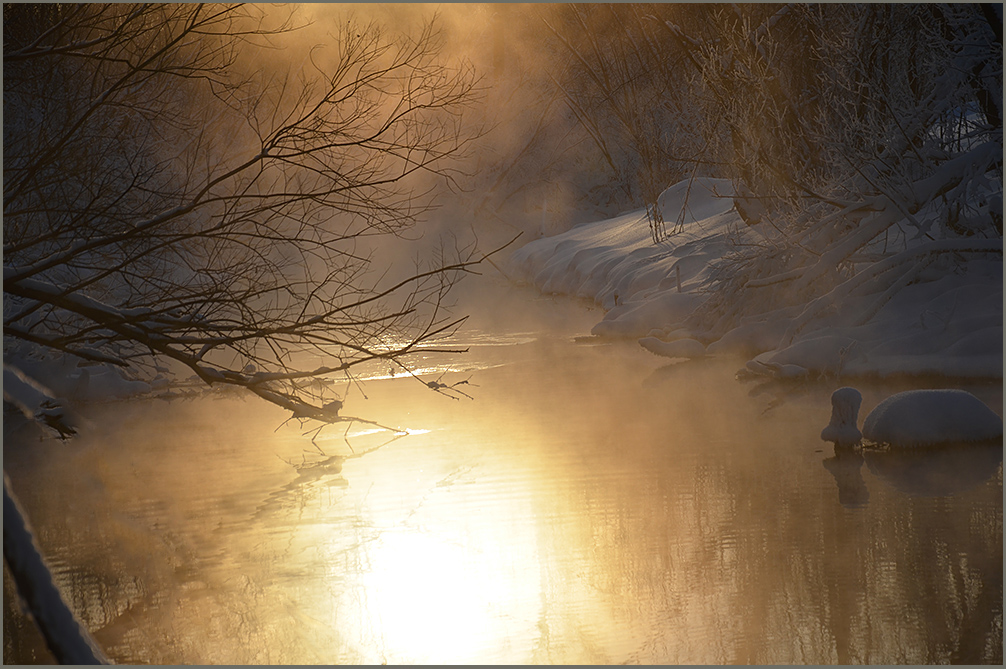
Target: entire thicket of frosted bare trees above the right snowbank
[{"x": 864, "y": 144}]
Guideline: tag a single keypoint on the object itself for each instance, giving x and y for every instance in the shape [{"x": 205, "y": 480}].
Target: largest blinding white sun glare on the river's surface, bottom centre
[{"x": 445, "y": 575}]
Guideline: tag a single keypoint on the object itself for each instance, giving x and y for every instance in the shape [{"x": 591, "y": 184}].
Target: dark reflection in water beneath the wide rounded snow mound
[{"x": 937, "y": 471}]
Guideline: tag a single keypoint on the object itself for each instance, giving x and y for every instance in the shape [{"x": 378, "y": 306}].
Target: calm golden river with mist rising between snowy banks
[{"x": 582, "y": 503}]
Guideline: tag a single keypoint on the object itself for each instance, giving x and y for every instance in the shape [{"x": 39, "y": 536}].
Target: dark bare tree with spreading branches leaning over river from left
[{"x": 169, "y": 198}]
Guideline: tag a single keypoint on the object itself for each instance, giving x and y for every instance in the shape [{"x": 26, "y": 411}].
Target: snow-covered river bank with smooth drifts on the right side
[{"x": 945, "y": 319}]
